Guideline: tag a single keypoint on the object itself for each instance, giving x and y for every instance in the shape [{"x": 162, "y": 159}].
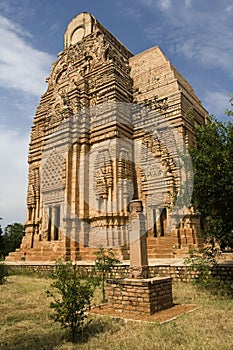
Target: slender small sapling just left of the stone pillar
[{"x": 105, "y": 260}]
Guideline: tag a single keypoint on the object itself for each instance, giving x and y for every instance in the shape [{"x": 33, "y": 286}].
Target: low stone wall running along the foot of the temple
[{"x": 179, "y": 273}]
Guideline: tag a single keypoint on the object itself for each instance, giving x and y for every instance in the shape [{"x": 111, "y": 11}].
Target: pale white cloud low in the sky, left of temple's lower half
[{"x": 13, "y": 175}]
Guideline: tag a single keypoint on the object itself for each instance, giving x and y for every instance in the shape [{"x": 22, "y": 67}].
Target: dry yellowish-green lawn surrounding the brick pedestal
[{"x": 25, "y": 323}]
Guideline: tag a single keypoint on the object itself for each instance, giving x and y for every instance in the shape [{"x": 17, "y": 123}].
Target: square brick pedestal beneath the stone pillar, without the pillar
[{"x": 140, "y": 295}]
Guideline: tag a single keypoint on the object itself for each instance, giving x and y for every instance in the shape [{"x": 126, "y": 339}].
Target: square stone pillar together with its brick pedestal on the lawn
[{"x": 139, "y": 293}]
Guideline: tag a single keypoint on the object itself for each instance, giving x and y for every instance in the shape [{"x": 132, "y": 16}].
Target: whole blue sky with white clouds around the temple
[{"x": 196, "y": 35}]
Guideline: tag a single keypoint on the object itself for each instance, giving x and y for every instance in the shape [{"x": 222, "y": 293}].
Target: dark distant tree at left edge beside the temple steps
[{"x": 12, "y": 237}]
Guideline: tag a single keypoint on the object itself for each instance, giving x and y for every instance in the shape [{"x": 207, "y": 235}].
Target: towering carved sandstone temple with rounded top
[{"x": 101, "y": 137}]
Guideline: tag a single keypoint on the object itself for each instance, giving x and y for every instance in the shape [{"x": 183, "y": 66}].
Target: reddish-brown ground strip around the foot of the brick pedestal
[{"x": 160, "y": 317}]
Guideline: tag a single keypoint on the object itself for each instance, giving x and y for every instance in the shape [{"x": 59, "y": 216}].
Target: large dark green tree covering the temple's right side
[{"x": 213, "y": 185}]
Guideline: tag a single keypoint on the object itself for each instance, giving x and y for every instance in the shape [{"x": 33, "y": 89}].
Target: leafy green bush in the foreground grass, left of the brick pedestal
[{"x": 72, "y": 299}]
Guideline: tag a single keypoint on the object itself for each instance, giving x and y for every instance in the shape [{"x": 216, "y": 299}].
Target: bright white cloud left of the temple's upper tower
[{"x": 22, "y": 67}]
